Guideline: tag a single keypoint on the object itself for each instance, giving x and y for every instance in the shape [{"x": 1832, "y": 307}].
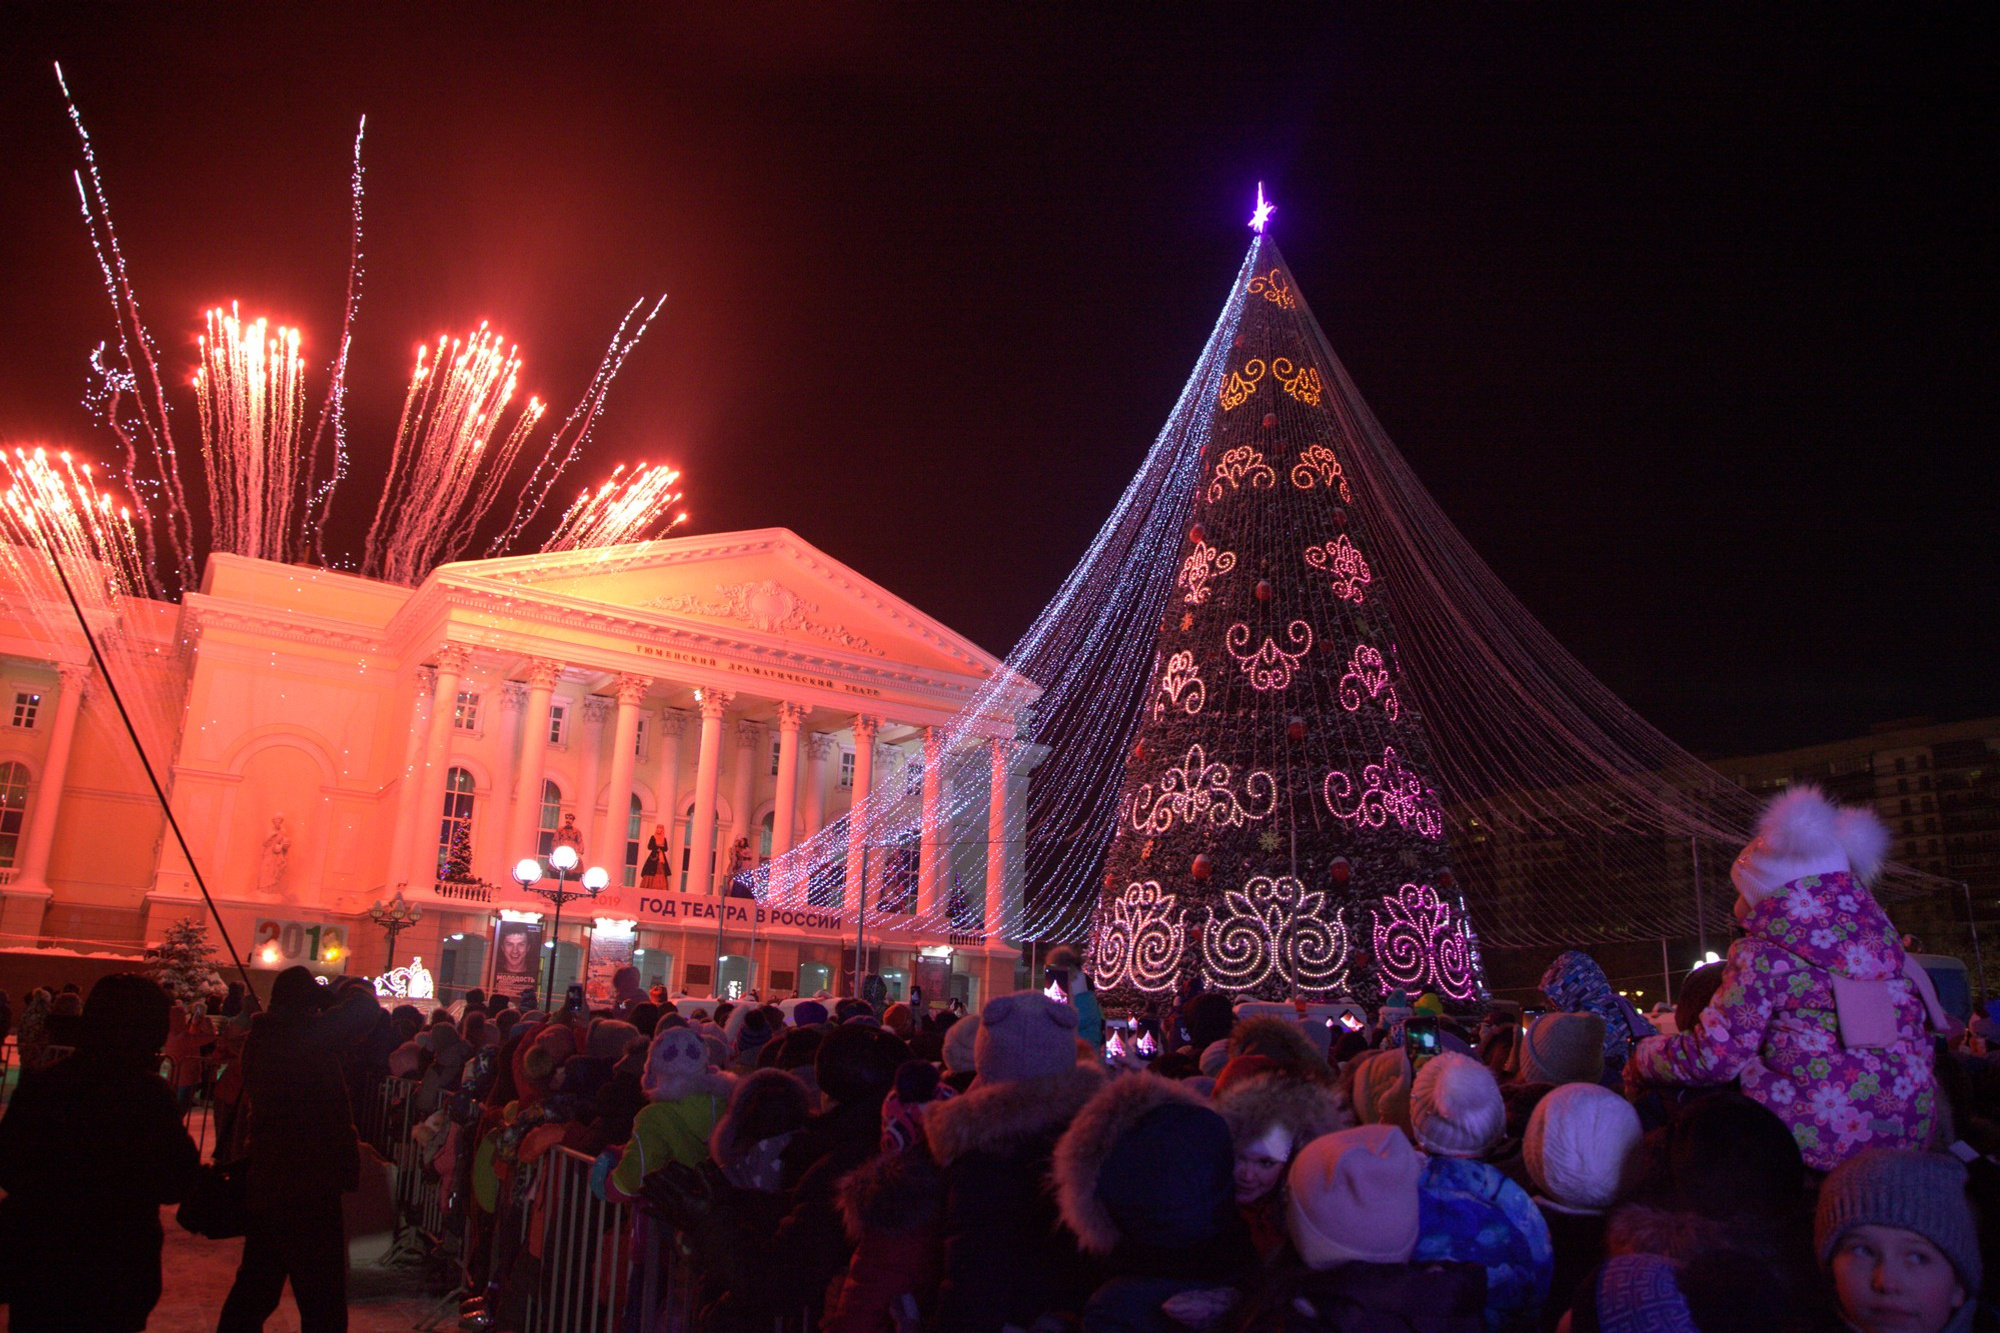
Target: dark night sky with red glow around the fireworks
[{"x": 1687, "y": 319}]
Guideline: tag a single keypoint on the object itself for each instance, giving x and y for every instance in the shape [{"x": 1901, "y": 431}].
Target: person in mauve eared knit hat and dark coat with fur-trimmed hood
[{"x": 1007, "y": 1260}]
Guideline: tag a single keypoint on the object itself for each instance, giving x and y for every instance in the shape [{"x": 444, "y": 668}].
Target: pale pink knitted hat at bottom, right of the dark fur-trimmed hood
[{"x": 1353, "y": 1198}]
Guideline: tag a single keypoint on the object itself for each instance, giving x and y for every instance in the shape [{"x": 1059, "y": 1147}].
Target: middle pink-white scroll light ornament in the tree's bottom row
[{"x": 1277, "y": 930}]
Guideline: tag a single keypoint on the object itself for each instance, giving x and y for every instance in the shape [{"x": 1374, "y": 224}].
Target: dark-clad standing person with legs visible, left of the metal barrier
[{"x": 303, "y": 1156}]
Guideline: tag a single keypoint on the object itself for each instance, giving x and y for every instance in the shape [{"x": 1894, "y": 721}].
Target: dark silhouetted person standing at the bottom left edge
[{"x": 89, "y": 1152}]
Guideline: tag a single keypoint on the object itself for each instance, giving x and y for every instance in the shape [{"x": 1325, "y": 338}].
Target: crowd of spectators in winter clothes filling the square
[{"x": 1809, "y": 1148}]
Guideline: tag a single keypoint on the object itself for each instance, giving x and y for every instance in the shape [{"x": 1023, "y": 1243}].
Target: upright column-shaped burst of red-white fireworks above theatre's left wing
[{"x": 253, "y": 397}]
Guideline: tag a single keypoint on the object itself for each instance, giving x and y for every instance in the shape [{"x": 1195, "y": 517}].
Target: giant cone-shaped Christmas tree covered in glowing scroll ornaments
[{"x": 1279, "y": 828}]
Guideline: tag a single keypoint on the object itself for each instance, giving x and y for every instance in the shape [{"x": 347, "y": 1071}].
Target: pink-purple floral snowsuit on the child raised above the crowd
[{"x": 1775, "y": 1026}]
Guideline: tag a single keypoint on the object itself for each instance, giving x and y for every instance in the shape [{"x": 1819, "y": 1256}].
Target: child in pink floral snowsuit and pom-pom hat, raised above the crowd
[{"x": 1821, "y": 1014}]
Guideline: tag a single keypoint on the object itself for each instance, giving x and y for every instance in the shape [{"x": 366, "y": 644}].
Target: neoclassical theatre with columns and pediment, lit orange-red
[{"x": 681, "y": 708}]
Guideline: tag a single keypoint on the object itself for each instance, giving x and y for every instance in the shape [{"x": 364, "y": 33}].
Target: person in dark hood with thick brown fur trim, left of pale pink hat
[{"x": 1145, "y": 1180}]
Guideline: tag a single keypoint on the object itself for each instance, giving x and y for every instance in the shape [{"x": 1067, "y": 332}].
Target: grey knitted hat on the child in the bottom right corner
[{"x": 1899, "y": 1188}]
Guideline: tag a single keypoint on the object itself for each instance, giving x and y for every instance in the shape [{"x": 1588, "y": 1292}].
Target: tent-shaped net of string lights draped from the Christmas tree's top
[{"x": 1563, "y": 816}]
